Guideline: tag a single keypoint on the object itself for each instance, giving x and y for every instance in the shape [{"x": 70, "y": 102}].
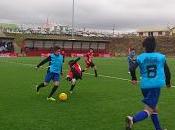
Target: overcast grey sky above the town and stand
[{"x": 102, "y": 14}]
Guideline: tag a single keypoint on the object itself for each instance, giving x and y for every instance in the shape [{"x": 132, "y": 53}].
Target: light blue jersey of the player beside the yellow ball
[{"x": 56, "y": 63}]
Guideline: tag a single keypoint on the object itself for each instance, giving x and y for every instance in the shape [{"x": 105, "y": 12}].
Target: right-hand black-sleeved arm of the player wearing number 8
[{"x": 167, "y": 75}]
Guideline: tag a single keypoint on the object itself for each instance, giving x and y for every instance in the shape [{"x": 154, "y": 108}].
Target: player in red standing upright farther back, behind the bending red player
[{"x": 89, "y": 61}]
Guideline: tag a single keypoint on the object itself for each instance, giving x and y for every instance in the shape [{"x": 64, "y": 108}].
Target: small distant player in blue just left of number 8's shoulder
[{"x": 131, "y": 58}]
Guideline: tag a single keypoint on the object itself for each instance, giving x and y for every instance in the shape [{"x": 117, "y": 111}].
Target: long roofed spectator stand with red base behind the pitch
[{"x": 36, "y": 47}]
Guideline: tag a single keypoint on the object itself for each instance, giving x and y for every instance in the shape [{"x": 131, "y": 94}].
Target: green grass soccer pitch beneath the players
[{"x": 97, "y": 103}]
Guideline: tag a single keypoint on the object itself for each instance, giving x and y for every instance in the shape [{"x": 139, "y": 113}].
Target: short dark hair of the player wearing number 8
[{"x": 149, "y": 44}]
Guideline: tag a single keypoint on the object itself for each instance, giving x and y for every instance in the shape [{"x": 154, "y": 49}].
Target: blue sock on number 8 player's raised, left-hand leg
[{"x": 140, "y": 116}]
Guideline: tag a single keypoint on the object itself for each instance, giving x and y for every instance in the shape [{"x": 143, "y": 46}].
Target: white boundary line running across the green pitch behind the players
[{"x": 100, "y": 75}]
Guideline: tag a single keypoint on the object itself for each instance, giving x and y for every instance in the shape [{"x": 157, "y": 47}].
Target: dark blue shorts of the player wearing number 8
[{"x": 151, "y": 97}]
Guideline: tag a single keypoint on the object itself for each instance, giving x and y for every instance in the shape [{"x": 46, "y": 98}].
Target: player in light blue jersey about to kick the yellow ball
[{"x": 54, "y": 71}]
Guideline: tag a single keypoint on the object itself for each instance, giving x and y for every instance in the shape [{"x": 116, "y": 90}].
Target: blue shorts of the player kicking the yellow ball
[{"x": 52, "y": 76}]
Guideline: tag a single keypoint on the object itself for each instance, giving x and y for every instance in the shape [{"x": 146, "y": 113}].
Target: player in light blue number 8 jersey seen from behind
[{"x": 155, "y": 75}]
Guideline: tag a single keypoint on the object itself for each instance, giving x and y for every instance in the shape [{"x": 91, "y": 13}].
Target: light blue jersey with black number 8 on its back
[{"x": 152, "y": 70}]
